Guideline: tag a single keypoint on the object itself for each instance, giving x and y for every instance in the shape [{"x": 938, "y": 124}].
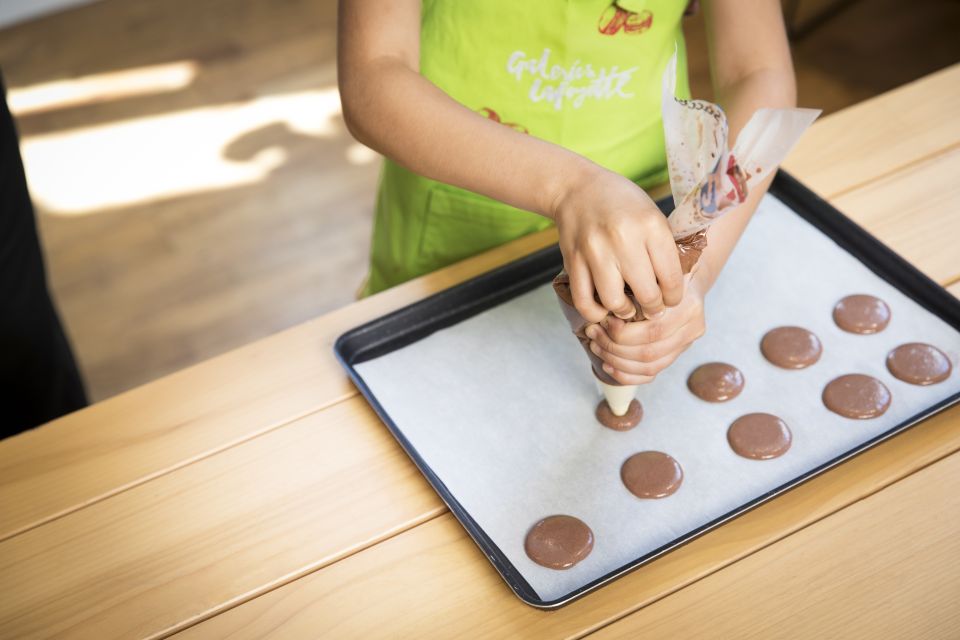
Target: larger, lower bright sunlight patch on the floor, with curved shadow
[{"x": 144, "y": 159}]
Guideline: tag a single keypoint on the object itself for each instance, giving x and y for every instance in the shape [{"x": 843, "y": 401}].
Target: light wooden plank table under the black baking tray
[{"x": 257, "y": 495}]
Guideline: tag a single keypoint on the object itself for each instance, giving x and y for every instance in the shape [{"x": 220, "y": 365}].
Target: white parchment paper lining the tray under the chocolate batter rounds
[{"x": 501, "y": 405}]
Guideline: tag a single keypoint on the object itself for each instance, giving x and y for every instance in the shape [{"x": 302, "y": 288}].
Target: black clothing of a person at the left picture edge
[{"x": 39, "y": 380}]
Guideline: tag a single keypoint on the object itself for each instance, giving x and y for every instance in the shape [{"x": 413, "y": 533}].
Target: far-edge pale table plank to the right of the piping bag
[{"x": 869, "y": 140}]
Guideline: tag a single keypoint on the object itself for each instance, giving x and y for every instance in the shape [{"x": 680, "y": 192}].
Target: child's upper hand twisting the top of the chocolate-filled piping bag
[{"x": 611, "y": 234}]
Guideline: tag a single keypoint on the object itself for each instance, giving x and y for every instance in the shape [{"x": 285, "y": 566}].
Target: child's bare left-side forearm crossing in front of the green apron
[{"x": 393, "y": 109}]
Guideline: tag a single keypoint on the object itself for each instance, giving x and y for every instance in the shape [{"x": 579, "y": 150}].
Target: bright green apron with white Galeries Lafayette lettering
[{"x": 584, "y": 74}]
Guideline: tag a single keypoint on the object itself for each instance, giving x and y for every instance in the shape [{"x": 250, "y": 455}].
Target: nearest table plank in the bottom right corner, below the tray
[{"x": 886, "y": 567}]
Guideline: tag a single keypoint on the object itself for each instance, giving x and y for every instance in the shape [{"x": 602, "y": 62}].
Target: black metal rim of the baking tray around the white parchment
[{"x": 451, "y": 306}]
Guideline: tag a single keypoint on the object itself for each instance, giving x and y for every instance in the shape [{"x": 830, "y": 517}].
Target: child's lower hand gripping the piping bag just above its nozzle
[{"x": 635, "y": 352}]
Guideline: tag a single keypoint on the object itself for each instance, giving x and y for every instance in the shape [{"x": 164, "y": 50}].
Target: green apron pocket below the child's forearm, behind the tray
[{"x": 459, "y": 224}]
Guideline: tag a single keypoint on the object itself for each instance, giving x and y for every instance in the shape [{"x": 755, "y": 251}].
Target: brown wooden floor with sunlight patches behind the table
[{"x": 212, "y": 195}]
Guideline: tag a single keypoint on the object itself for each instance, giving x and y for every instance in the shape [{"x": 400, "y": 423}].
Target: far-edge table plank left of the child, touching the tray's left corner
[{"x": 75, "y": 461}]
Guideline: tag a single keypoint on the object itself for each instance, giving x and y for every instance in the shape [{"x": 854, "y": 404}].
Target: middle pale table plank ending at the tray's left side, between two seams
[{"x": 190, "y": 543}]
